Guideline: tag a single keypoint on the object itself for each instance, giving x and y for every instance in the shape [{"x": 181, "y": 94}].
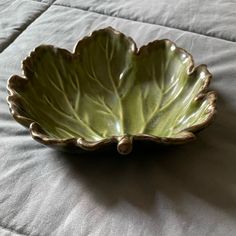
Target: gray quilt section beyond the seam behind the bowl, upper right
[{"x": 213, "y": 18}]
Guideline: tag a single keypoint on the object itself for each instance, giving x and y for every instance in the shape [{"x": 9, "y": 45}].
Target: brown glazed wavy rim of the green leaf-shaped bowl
[{"x": 125, "y": 142}]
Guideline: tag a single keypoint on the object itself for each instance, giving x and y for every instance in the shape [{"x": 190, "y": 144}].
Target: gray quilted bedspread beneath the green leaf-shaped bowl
[{"x": 187, "y": 190}]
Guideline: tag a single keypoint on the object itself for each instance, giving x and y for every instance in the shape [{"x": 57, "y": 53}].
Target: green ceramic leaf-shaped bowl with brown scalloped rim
[{"x": 108, "y": 91}]
